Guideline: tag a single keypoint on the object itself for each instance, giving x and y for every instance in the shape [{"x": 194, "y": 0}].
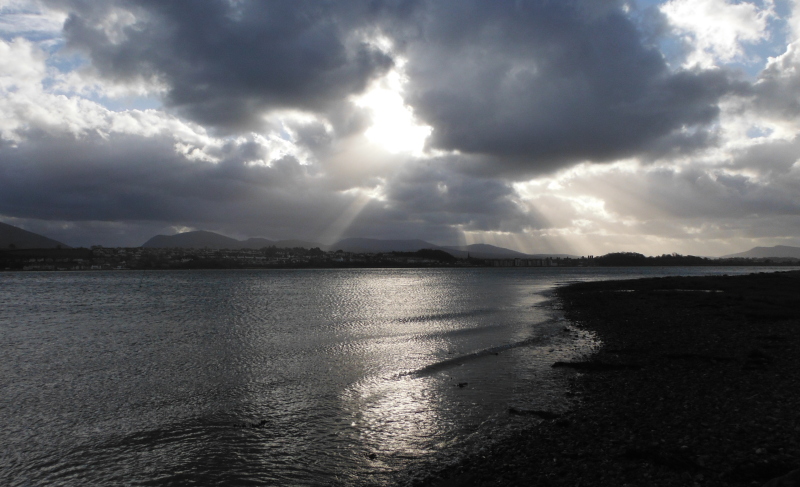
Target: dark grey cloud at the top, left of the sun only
[{"x": 226, "y": 62}]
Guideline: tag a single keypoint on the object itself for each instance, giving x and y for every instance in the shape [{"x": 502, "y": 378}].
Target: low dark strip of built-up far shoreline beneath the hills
[{"x": 101, "y": 258}]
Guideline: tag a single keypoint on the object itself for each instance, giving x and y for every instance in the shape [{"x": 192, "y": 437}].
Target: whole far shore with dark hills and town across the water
[{"x": 21, "y": 250}]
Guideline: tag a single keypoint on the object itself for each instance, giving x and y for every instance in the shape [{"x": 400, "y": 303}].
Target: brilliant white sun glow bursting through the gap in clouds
[{"x": 394, "y": 127}]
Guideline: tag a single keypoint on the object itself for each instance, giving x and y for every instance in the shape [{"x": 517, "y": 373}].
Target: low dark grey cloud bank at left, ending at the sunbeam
[{"x": 131, "y": 178}]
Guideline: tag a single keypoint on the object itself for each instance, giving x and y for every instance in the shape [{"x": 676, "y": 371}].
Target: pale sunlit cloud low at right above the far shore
[{"x": 678, "y": 209}]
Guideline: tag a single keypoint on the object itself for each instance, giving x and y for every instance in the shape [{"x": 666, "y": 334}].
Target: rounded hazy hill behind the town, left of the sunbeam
[{"x": 202, "y": 239}]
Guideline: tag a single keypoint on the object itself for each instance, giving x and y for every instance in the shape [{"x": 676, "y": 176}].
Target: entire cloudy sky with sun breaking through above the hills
[{"x": 581, "y": 127}]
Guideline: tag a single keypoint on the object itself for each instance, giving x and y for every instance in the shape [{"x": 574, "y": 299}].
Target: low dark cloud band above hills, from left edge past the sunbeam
[{"x": 144, "y": 185}]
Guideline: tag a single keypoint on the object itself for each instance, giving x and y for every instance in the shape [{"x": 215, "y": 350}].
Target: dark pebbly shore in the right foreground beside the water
[{"x": 696, "y": 382}]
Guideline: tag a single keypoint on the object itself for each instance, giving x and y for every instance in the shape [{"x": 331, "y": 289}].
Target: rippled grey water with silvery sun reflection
[{"x": 276, "y": 377}]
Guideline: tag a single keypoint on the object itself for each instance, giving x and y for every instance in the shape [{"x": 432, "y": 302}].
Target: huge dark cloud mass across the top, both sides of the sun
[{"x": 530, "y": 85}]
